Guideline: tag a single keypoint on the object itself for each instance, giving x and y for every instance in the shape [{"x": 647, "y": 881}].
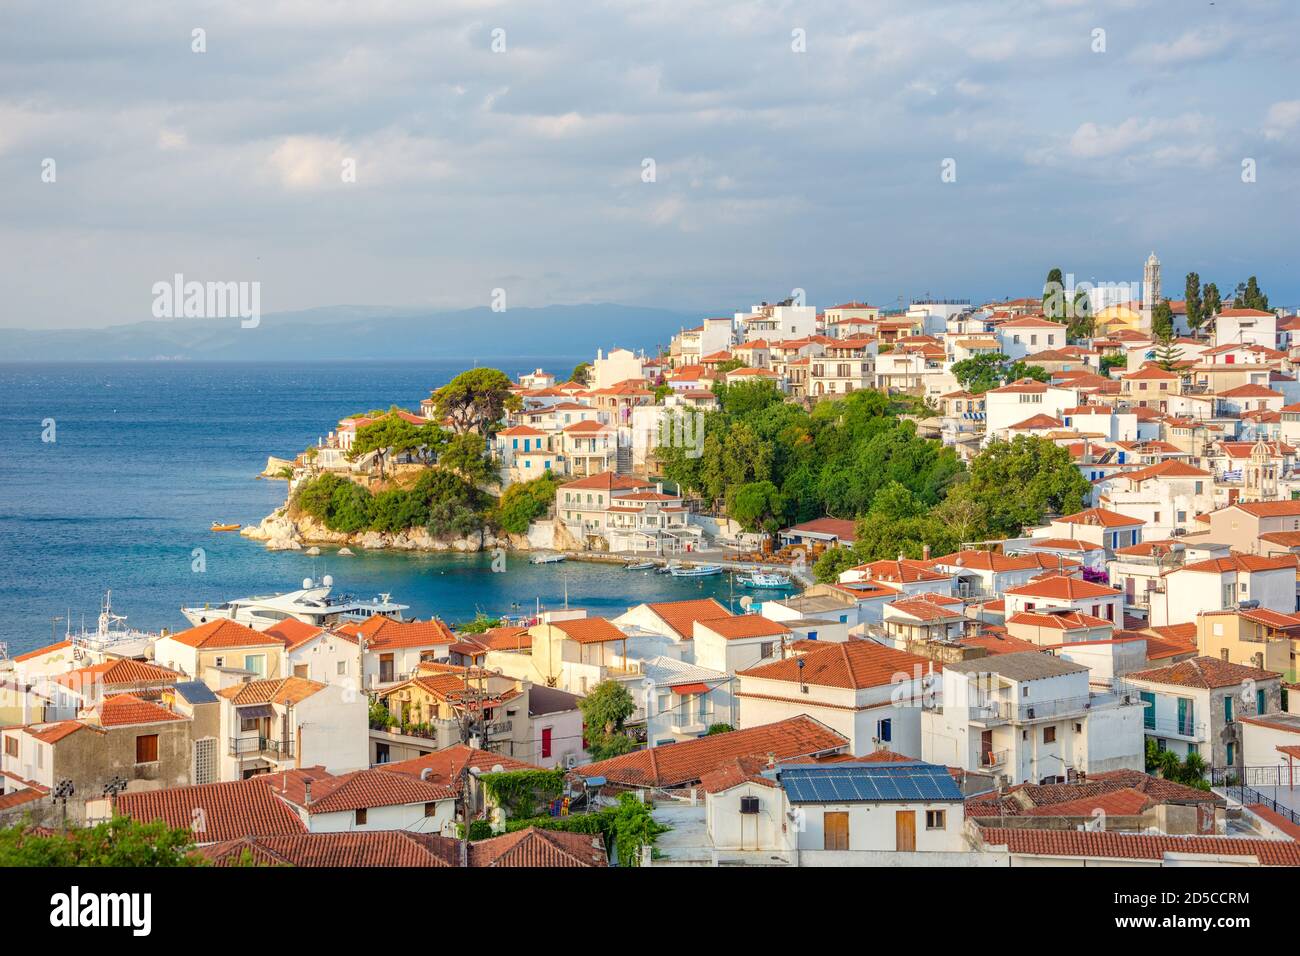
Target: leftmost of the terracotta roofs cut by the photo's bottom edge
[{"x": 339, "y": 850}]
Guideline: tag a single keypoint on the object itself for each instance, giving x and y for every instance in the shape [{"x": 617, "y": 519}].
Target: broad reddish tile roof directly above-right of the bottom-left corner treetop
[{"x": 215, "y": 811}]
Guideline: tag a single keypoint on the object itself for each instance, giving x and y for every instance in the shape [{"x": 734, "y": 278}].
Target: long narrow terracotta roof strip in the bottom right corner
[{"x": 1115, "y": 846}]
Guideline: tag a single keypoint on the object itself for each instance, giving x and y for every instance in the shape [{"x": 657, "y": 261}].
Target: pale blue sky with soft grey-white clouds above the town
[{"x": 853, "y": 150}]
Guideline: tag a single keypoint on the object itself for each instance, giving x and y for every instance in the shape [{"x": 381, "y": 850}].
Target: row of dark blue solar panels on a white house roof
[{"x": 869, "y": 784}]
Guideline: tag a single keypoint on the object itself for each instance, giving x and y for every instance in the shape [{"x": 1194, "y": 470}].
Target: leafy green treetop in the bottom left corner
[{"x": 120, "y": 842}]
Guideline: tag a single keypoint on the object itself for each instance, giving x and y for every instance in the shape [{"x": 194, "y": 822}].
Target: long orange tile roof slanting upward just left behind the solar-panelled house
[{"x": 688, "y": 762}]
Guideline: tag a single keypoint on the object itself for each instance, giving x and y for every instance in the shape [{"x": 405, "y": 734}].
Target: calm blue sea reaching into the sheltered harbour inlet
[{"x": 148, "y": 456}]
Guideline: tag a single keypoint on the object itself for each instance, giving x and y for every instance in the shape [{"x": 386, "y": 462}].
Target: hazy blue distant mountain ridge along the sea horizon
[{"x": 359, "y": 332}]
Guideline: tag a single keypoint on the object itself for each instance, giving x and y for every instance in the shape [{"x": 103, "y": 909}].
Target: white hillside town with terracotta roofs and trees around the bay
[{"x": 1047, "y": 613}]
